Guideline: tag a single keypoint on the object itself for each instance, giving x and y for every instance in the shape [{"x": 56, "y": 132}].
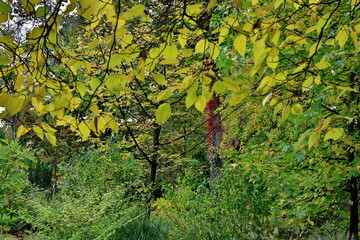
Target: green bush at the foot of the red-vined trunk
[{"x": 236, "y": 206}]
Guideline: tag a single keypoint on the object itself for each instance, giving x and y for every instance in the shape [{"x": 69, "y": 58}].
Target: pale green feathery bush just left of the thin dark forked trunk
[{"x": 100, "y": 192}]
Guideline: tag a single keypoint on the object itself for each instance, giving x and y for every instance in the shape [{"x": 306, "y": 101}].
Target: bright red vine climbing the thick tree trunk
[{"x": 214, "y": 135}]
